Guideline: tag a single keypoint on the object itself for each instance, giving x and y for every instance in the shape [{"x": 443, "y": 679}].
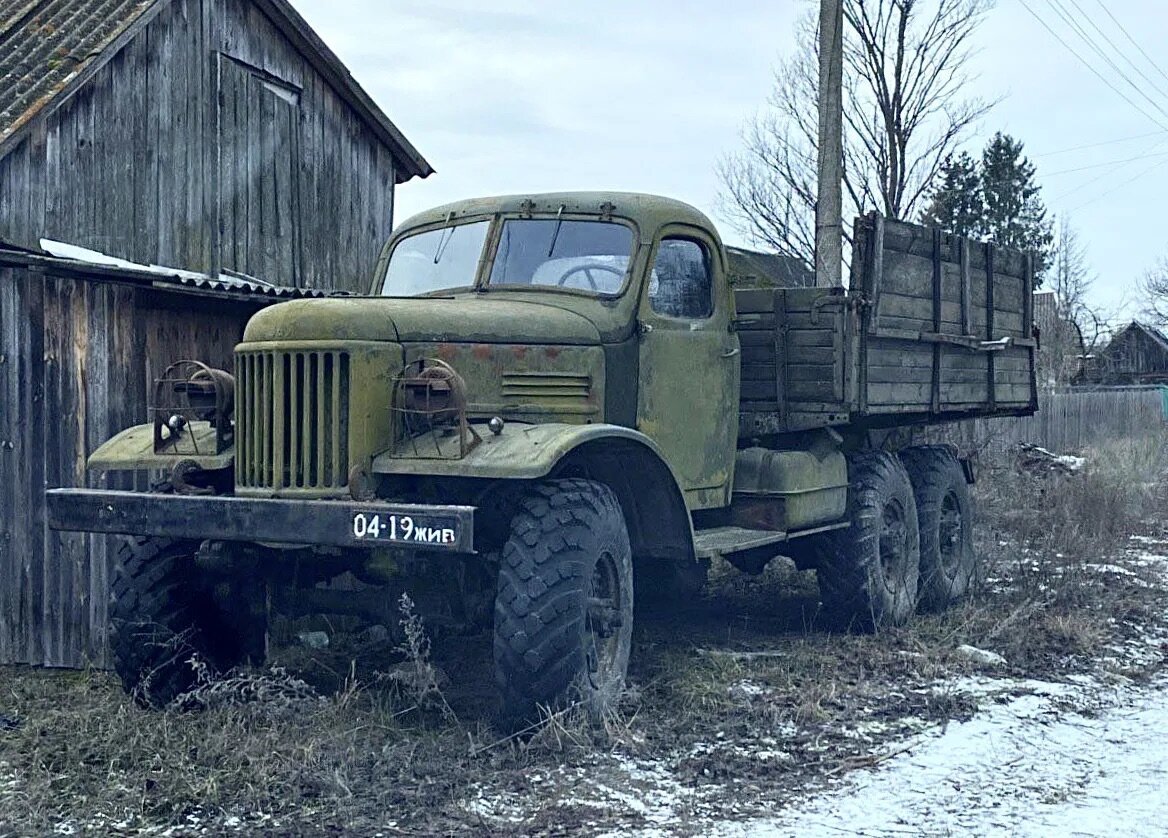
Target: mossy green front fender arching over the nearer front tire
[{"x": 522, "y": 452}]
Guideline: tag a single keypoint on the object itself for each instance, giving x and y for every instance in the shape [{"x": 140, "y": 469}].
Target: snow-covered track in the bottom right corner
[{"x": 1023, "y": 768}]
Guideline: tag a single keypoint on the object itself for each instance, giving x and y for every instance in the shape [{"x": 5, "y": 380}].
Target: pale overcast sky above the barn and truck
[{"x": 644, "y": 95}]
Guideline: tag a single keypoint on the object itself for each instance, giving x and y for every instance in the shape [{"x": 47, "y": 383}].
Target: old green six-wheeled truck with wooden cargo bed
[{"x": 546, "y": 406}]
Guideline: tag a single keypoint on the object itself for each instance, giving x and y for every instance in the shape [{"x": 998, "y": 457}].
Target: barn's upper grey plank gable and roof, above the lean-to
[{"x": 207, "y": 135}]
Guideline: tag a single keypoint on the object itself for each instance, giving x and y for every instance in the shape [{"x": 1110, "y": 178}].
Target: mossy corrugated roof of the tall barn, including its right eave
[{"x": 50, "y": 47}]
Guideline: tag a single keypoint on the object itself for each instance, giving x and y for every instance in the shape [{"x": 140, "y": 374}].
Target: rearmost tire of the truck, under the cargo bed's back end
[{"x": 949, "y": 565}]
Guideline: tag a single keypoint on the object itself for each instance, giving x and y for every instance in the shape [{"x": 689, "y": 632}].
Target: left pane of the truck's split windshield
[{"x": 436, "y": 260}]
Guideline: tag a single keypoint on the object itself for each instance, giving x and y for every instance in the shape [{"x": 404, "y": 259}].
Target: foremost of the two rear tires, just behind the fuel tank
[{"x": 868, "y": 573}]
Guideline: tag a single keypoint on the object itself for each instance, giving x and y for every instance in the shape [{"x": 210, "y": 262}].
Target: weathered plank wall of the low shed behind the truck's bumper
[{"x": 78, "y": 359}]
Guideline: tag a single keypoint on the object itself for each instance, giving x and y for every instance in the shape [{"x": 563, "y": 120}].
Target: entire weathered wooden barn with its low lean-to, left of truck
[{"x": 219, "y": 136}]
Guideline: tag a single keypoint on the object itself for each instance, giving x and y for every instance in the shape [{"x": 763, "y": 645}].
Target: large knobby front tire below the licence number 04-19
[{"x": 565, "y": 605}]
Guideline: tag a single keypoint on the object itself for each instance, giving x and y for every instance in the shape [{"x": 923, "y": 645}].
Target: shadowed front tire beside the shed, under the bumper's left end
[{"x": 162, "y": 617}]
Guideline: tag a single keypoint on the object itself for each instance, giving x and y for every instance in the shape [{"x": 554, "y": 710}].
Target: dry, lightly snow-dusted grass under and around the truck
[{"x": 398, "y": 753}]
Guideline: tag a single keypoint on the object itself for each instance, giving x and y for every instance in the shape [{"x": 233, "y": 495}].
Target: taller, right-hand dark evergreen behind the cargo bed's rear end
[{"x": 1014, "y": 212}]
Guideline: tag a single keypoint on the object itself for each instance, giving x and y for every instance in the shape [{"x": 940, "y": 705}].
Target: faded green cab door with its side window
[{"x": 690, "y": 364}]
